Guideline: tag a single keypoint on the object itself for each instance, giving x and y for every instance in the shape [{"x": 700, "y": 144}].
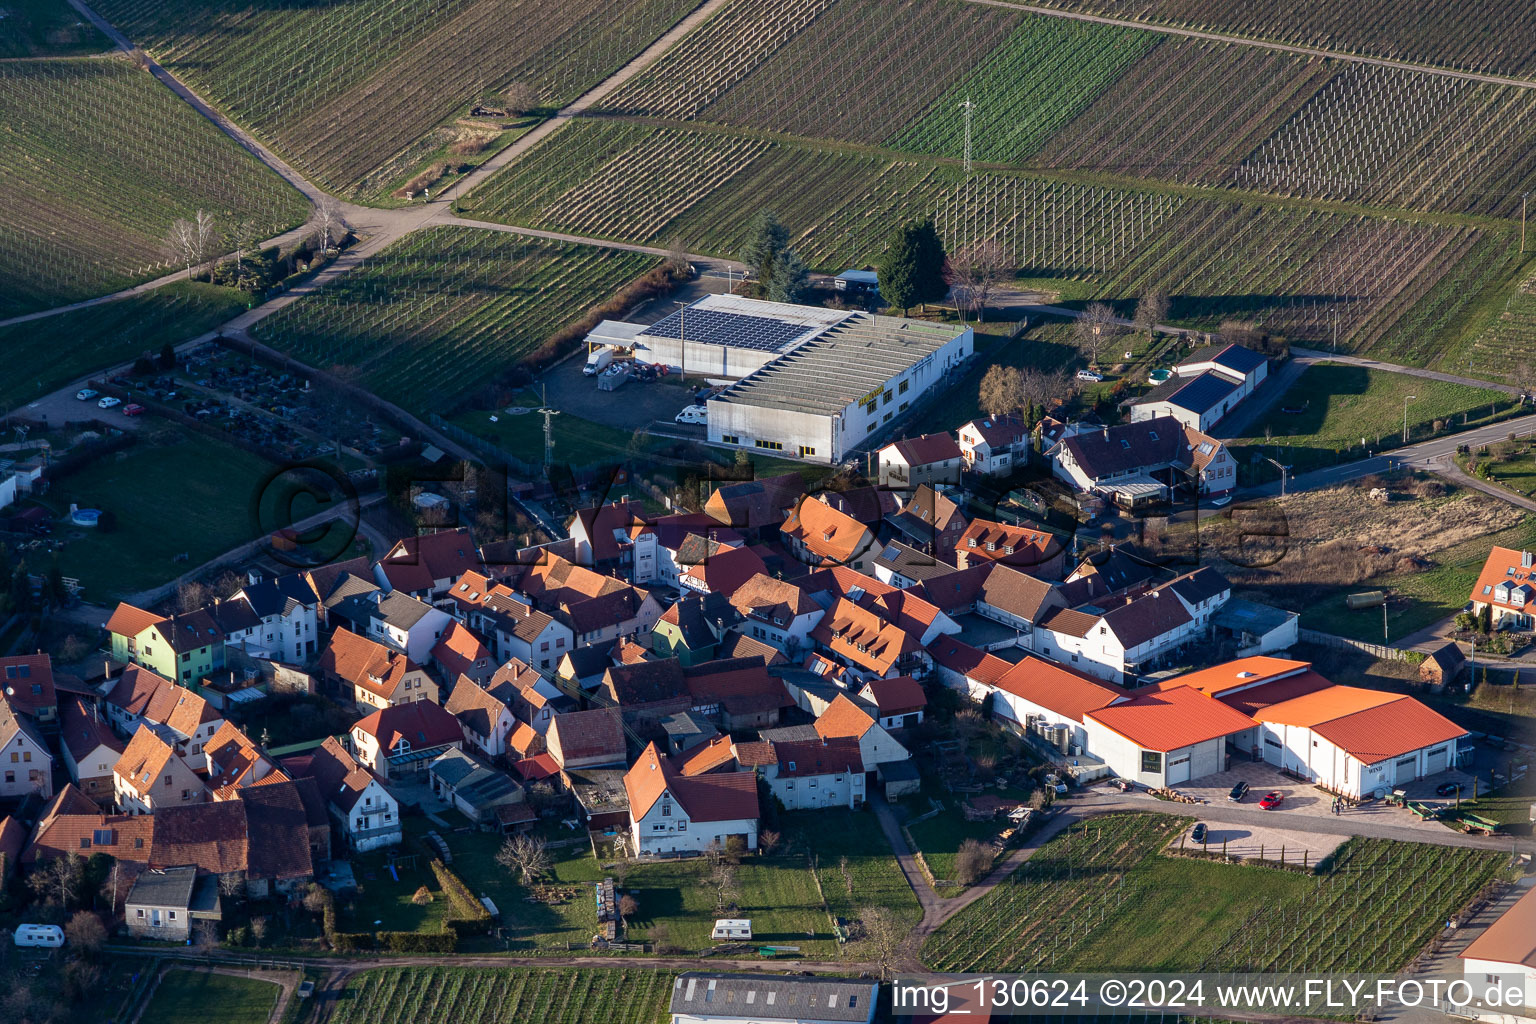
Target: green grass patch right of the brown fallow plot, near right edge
[{"x": 1418, "y": 600}]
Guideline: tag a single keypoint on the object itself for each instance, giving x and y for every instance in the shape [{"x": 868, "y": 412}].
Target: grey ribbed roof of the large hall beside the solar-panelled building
[{"x": 830, "y": 374}]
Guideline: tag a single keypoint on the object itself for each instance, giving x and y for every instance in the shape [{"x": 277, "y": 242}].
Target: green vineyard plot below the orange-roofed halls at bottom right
[{"x": 1131, "y": 908}]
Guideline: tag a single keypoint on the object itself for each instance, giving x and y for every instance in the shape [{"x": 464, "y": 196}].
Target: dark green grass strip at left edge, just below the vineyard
[{"x": 44, "y": 355}]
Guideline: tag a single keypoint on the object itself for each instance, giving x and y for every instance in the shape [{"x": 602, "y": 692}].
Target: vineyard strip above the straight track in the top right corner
[{"x": 1481, "y": 36}]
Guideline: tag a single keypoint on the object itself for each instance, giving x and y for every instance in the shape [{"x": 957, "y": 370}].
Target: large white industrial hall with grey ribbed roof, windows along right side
[{"x": 826, "y": 397}]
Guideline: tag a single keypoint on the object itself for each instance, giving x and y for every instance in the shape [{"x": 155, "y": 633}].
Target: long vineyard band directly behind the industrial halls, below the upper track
[{"x": 1399, "y": 285}]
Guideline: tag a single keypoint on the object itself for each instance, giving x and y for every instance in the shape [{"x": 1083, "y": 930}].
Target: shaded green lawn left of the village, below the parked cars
[{"x": 173, "y": 494}]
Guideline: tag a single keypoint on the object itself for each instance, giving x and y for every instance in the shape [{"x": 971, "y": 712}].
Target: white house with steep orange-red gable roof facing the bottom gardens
[{"x": 677, "y": 814}]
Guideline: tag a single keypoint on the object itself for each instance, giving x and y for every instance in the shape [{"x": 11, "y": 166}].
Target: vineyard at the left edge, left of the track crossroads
[{"x": 88, "y": 200}]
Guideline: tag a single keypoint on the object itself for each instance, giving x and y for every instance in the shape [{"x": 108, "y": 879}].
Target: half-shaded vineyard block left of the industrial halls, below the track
[{"x": 446, "y": 311}]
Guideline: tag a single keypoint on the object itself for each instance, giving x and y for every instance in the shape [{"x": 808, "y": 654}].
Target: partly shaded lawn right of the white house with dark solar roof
[{"x": 1342, "y": 405}]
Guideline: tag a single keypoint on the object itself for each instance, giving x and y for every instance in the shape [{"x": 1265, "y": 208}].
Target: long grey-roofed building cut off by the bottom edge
[{"x": 772, "y": 997}]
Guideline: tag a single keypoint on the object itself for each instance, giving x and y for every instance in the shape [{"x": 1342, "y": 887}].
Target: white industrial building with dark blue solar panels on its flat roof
[{"x": 721, "y": 335}]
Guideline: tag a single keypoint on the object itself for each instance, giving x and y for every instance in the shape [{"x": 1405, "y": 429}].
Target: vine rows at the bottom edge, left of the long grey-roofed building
[{"x": 560, "y": 996}]
